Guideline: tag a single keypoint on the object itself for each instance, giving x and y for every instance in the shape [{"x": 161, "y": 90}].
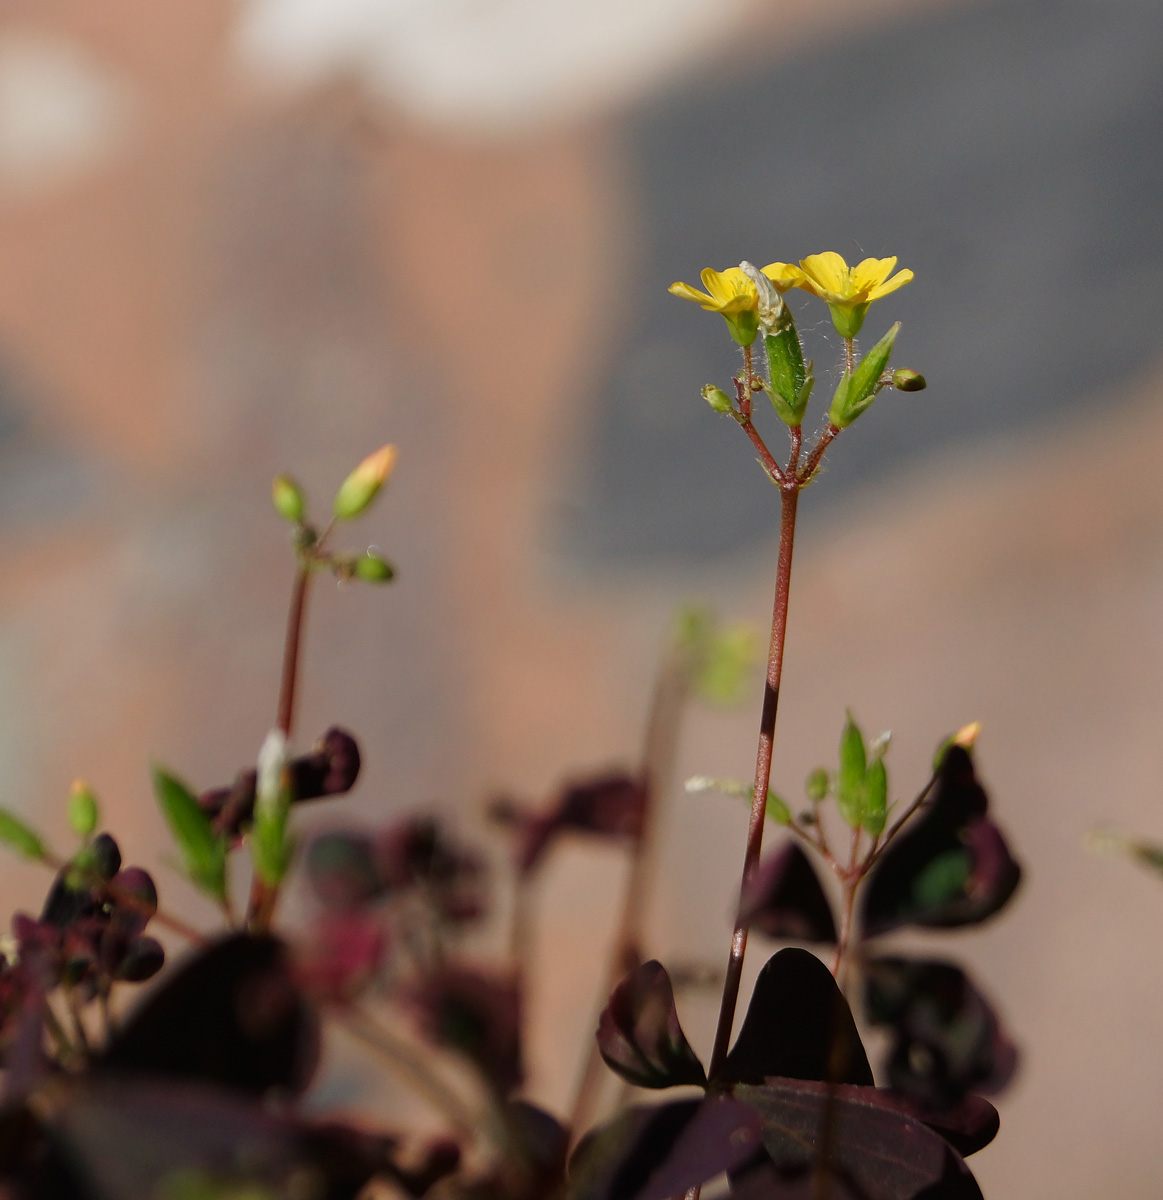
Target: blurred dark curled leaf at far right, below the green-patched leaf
[{"x": 948, "y": 1040}]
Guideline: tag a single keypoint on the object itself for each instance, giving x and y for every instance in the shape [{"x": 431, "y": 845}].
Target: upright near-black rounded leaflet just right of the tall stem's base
[{"x": 799, "y": 1025}]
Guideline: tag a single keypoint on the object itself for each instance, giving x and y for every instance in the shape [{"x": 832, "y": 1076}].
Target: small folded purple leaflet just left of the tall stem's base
[{"x": 640, "y": 1036}]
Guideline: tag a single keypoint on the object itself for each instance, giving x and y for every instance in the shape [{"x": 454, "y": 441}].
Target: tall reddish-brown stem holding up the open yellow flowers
[{"x": 789, "y": 499}]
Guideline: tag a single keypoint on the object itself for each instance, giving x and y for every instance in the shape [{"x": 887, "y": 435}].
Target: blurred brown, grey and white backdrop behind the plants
[{"x": 242, "y": 238}]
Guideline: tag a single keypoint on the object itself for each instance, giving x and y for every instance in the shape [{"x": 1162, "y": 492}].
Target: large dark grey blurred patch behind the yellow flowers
[{"x": 1011, "y": 154}]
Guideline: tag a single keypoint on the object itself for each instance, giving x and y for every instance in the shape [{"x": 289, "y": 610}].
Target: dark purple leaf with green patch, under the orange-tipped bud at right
[{"x": 950, "y": 867}]
